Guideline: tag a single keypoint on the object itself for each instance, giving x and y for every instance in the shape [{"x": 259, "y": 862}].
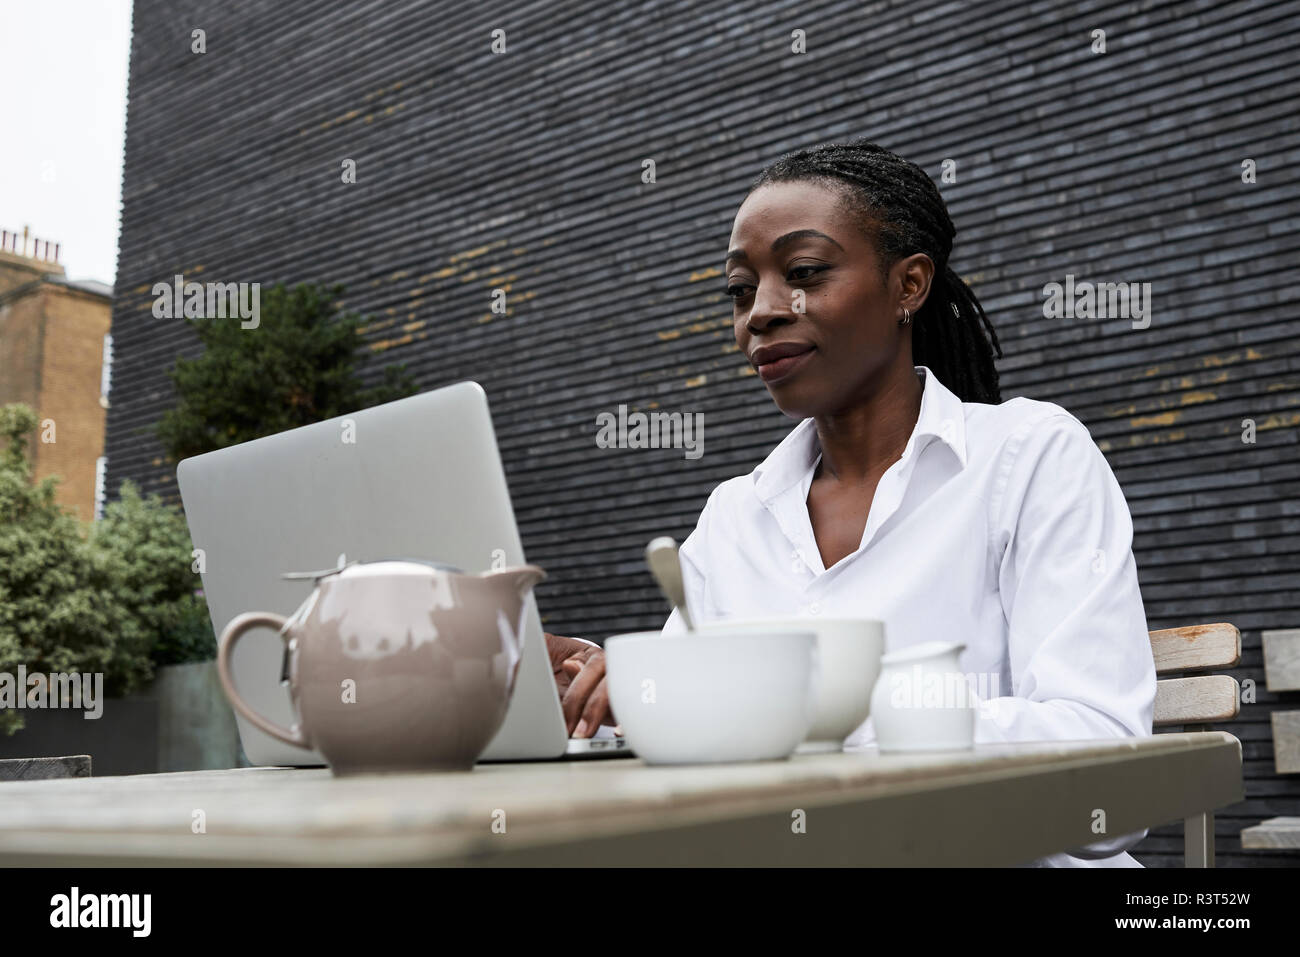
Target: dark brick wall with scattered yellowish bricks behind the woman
[{"x": 523, "y": 171}]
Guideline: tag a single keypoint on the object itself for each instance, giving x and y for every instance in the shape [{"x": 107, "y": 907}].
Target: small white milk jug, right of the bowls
[{"x": 922, "y": 701}]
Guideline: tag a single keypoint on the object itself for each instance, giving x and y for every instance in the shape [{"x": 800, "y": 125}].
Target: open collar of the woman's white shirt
[{"x": 942, "y": 415}]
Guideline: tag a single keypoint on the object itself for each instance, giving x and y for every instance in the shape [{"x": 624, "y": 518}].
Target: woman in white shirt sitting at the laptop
[{"x": 909, "y": 492}]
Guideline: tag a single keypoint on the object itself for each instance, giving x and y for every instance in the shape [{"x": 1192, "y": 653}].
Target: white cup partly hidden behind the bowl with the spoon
[{"x": 850, "y": 653}]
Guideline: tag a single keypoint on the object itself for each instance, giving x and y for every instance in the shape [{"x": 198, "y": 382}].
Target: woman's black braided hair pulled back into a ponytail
[{"x": 902, "y": 211}]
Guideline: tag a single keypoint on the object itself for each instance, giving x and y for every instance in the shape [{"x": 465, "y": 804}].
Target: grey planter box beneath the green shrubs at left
[{"x": 183, "y": 722}]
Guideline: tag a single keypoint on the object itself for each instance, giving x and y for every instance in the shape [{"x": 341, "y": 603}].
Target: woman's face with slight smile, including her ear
[{"x": 813, "y": 314}]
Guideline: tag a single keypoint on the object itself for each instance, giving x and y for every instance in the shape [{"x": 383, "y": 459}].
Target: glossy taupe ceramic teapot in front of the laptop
[{"x": 396, "y": 665}]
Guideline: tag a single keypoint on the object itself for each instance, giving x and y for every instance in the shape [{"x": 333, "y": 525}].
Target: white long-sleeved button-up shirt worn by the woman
[{"x": 1002, "y": 527}]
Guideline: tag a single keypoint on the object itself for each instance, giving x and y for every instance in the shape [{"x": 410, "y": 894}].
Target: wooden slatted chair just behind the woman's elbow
[{"x": 1197, "y": 701}]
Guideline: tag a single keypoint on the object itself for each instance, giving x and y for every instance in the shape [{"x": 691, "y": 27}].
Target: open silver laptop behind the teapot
[{"x": 422, "y": 478}]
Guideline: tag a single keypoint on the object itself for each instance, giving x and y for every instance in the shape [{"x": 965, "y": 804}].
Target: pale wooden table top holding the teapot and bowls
[{"x": 994, "y": 806}]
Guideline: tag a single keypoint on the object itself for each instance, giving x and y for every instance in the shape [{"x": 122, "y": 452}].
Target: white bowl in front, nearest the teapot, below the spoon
[{"x": 718, "y": 698}]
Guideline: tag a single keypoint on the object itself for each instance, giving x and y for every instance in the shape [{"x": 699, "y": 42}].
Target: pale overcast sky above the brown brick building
[{"x": 63, "y": 120}]
